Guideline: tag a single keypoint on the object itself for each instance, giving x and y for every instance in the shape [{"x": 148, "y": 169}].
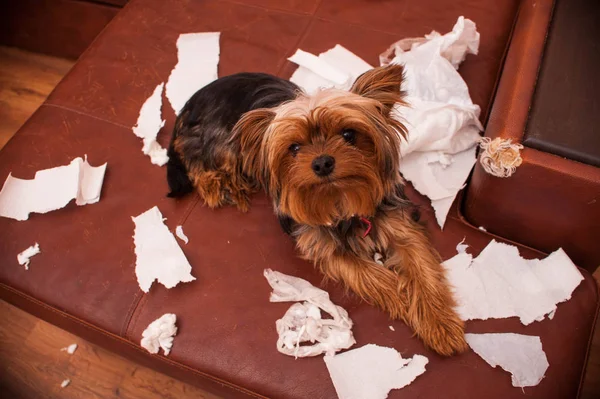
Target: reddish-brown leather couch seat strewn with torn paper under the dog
[{"x": 84, "y": 279}]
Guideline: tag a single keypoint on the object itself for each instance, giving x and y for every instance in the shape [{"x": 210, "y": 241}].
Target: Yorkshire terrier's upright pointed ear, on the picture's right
[{"x": 381, "y": 84}]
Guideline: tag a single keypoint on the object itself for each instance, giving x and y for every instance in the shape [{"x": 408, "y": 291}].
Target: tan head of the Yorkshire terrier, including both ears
[{"x": 330, "y": 156}]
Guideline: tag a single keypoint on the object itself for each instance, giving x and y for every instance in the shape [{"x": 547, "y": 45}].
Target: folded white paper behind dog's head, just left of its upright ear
[{"x": 336, "y": 67}]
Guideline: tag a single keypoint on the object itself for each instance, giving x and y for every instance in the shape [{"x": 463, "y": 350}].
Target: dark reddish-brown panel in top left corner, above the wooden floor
[{"x": 62, "y": 28}]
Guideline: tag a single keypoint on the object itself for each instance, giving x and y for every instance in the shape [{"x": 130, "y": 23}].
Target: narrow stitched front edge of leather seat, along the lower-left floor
[{"x": 129, "y": 343}]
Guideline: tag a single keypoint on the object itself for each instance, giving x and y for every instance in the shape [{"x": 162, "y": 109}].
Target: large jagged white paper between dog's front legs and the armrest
[{"x": 499, "y": 283}]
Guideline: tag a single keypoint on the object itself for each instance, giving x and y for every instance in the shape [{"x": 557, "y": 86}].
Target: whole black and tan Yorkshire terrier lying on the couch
[{"x": 330, "y": 164}]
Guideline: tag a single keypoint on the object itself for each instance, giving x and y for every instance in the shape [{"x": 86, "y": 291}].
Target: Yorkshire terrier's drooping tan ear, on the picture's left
[{"x": 249, "y": 132}]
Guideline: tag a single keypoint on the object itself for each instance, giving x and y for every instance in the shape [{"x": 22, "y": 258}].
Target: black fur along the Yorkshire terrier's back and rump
[{"x": 206, "y": 121}]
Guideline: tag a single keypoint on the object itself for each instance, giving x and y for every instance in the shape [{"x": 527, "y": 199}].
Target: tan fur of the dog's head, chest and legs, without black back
[{"x": 412, "y": 285}]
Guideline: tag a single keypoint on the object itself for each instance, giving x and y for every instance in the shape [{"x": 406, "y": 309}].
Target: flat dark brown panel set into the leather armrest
[{"x": 565, "y": 109}]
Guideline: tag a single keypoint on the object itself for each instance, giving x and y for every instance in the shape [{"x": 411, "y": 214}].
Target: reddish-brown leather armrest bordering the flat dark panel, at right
[{"x": 550, "y": 201}]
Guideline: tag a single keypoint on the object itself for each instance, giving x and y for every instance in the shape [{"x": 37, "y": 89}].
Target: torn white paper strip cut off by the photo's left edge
[{"x": 52, "y": 189}]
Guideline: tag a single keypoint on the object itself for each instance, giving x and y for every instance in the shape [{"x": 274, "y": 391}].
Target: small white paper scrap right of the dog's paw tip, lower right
[{"x": 520, "y": 355}]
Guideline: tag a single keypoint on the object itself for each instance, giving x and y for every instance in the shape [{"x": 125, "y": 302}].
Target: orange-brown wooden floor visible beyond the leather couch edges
[{"x": 32, "y": 365}]
